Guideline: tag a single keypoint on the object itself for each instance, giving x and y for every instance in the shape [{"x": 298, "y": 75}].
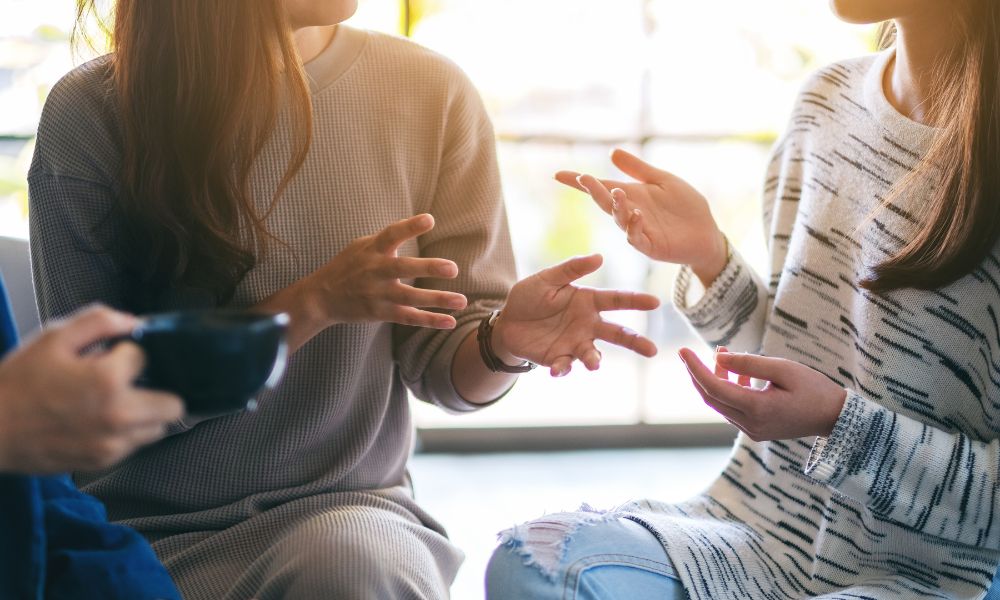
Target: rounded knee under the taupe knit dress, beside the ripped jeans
[{"x": 356, "y": 552}]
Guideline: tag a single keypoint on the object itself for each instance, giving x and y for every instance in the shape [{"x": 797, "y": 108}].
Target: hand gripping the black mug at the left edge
[{"x": 61, "y": 410}]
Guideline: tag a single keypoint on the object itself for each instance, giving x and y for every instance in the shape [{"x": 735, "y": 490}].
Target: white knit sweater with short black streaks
[{"x": 901, "y": 500}]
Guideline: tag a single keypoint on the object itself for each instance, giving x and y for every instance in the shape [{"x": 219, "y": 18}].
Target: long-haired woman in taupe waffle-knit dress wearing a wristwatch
[{"x": 252, "y": 153}]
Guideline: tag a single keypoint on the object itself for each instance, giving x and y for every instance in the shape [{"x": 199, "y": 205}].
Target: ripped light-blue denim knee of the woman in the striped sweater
[{"x": 581, "y": 556}]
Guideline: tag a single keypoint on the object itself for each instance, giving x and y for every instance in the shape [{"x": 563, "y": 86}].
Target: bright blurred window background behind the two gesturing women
[{"x": 699, "y": 88}]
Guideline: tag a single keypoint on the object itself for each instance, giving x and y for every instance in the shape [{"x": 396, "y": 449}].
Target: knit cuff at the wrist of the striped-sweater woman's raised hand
[{"x": 726, "y": 306}]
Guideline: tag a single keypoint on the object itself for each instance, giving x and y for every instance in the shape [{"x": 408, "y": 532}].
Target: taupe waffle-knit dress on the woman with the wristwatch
[{"x": 308, "y": 497}]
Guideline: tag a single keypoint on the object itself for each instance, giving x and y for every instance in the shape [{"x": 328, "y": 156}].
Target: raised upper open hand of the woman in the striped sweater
[{"x": 663, "y": 216}]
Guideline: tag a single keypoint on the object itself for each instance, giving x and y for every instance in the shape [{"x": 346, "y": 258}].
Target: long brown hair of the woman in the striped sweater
[{"x": 960, "y": 223}]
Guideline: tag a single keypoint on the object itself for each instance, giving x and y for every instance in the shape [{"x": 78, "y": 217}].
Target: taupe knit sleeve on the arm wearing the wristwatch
[{"x": 471, "y": 229}]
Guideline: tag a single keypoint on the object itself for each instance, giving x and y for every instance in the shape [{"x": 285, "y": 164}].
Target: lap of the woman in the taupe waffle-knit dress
[{"x": 368, "y": 550}]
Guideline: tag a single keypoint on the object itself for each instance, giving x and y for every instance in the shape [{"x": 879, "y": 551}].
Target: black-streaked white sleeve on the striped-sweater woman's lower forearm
[{"x": 939, "y": 483}]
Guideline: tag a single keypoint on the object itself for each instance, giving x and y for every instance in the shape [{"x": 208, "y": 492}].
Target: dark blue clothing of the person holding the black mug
[{"x": 56, "y": 542}]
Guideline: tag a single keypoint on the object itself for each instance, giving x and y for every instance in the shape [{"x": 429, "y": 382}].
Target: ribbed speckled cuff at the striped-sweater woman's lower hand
[{"x": 832, "y": 458}]
